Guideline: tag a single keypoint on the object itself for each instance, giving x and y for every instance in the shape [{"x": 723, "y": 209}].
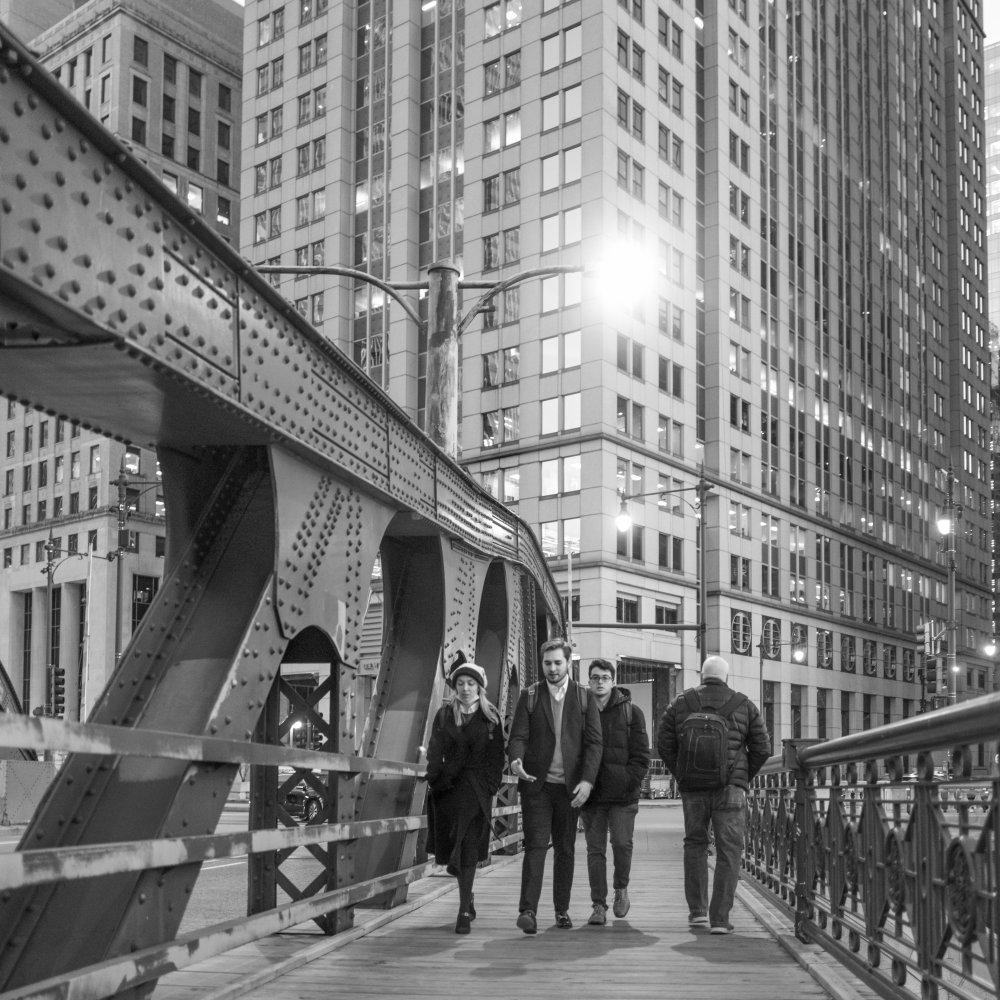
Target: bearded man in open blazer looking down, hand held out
[{"x": 555, "y": 751}]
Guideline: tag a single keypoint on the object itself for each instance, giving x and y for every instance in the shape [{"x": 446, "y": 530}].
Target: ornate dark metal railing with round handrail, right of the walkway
[{"x": 894, "y": 872}]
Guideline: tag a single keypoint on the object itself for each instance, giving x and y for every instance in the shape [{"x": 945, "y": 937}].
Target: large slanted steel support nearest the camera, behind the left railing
[{"x": 207, "y": 627}]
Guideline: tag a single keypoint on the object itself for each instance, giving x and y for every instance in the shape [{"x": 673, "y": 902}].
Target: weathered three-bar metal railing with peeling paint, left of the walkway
[{"x": 26, "y": 867}]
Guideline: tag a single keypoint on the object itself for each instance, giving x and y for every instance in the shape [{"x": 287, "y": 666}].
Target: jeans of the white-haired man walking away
[{"x": 725, "y": 810}]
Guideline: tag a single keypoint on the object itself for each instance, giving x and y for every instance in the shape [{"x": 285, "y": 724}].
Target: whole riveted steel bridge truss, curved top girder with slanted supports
[{"x": 285, "y": 474}]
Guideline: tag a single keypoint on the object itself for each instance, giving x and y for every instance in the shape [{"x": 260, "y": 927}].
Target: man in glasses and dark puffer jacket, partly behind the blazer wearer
[{"x": 614, "y": 801}]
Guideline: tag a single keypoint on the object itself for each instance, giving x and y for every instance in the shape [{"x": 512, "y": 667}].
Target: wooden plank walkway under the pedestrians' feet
[{"x": 650, "y": 953}]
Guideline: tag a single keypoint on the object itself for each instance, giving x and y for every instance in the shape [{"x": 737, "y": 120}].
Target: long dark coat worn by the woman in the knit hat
[{"x": 464, "y": 770}]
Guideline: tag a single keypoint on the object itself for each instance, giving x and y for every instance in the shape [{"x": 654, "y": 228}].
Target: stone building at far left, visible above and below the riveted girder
[{"x": 166, "y": 78}]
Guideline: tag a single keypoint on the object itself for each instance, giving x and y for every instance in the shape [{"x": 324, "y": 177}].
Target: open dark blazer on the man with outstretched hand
[{"x": 533, "y": 740}]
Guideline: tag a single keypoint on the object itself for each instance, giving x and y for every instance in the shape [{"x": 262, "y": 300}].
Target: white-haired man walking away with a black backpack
[{"x": 713, "y": 740}]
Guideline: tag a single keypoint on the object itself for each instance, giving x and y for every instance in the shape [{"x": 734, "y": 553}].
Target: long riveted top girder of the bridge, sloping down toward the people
[{"x": 108, "y": 280}]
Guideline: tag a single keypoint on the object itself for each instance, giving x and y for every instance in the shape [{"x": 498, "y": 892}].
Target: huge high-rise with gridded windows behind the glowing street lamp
[{"x": 793, "y": 195}]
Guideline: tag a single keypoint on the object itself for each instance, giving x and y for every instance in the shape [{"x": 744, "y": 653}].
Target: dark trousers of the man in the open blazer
[{"x": 546, "y": 814}]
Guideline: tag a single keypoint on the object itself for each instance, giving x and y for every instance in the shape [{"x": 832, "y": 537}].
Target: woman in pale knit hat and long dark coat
[{"x": 465, "y": 761}]
